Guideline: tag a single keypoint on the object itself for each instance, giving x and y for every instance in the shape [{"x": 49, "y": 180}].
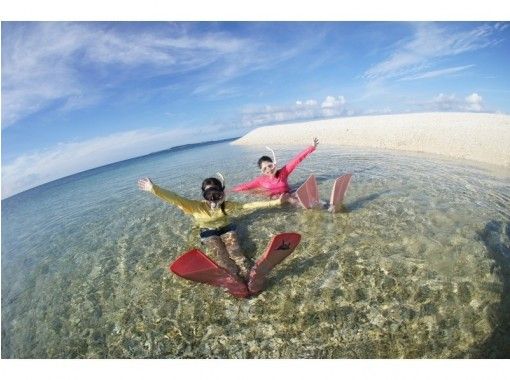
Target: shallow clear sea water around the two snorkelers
[{"x": 417, "y": 266}]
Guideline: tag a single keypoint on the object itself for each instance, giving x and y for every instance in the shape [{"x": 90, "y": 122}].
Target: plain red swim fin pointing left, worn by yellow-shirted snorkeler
[{"x": 196, "y": 266}]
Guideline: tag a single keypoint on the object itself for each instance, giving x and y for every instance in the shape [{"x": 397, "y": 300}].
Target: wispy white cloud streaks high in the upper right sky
[{"x": 413, "y": 58}]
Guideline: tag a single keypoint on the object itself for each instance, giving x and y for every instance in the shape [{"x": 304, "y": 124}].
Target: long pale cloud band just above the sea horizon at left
[{"x": 30, "y": 170}]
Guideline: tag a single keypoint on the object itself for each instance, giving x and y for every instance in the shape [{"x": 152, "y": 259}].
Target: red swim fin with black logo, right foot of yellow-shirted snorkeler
[{"x": 279, "y": 248}]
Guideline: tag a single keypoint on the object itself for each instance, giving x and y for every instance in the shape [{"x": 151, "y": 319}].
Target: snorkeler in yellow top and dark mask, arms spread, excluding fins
[{"x": 217, "y": 233}]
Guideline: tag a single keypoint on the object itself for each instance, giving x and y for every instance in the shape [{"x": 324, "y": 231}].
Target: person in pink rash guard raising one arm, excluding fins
[{"x": 274, "y": 182}]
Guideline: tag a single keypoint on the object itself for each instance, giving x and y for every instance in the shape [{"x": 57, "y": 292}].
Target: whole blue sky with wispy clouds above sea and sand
[{"x": 77, "y": 95}]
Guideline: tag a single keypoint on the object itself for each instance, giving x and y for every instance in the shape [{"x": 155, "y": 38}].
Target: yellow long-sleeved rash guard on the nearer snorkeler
[{"x": 204, "y": 215}]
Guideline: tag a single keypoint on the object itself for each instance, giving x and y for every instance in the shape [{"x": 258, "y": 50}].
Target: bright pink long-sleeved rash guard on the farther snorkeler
[{"x": 278, "y": 184}]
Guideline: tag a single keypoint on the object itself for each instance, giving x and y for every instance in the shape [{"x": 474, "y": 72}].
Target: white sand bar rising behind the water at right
[{"x": 473, "y": 136}]
